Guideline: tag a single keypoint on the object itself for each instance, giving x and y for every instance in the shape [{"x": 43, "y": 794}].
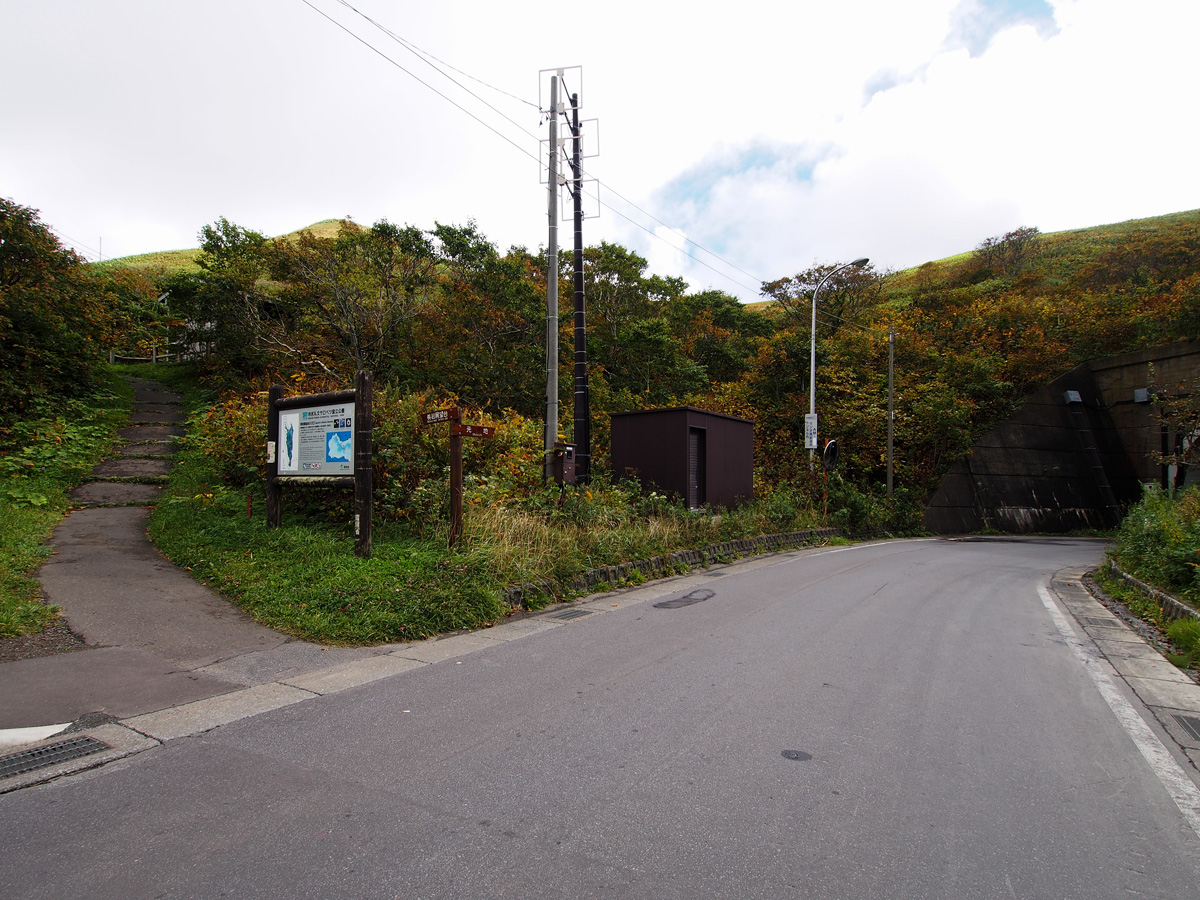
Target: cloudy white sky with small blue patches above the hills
[{"x": 729, "y": 145}]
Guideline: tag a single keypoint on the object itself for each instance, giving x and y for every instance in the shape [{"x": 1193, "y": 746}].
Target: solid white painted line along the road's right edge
[{"x": 1169, "y": 772}]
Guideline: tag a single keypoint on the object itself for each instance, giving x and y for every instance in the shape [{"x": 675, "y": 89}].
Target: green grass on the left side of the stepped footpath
[{"x": 41, "y": 459}]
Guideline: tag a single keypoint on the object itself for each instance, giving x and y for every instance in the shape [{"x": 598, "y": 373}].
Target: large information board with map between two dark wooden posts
[{"x": 322, "y": 440}]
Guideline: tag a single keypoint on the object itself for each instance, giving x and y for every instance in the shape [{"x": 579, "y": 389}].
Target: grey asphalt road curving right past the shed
[{"x": 891, "y": 721}]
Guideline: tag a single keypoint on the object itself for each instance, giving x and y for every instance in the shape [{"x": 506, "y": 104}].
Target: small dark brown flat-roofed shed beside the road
[{"x": 701, "y": 457}]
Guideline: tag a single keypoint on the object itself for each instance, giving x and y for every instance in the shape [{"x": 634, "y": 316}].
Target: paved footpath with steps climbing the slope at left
[{"x": 157, "y": 639}]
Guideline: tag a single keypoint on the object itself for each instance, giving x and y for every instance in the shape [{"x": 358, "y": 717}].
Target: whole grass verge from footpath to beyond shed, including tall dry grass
[{"x": 303, "y": 579}]
